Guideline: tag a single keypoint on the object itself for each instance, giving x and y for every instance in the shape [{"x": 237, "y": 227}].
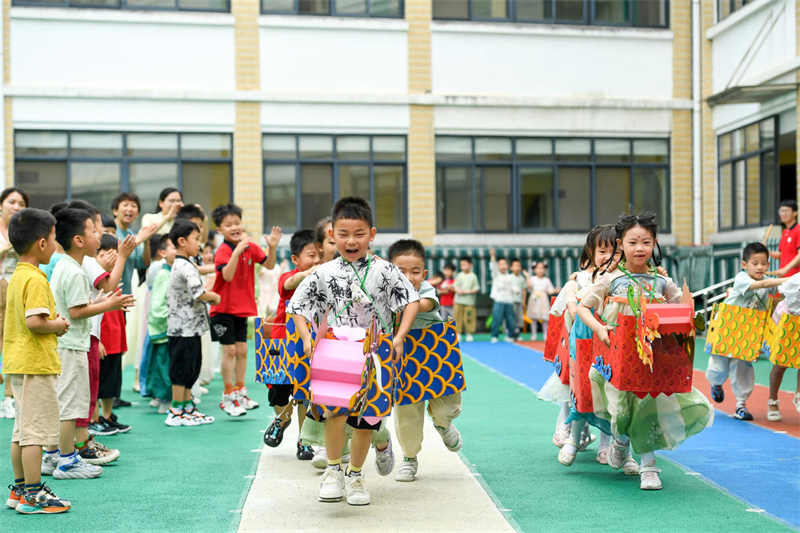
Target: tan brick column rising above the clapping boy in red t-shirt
[{"x": 248, "y": 190}]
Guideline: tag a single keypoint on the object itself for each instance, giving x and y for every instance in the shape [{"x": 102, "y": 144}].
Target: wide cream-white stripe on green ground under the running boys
[{"x": 445, "y": 497}]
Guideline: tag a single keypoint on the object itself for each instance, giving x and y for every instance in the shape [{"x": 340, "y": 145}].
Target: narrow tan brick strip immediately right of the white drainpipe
[{"x": 709, "y": 139}]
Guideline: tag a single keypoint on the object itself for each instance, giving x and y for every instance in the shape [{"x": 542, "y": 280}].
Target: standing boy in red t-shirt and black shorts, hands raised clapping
[{"x": 235, "y": 263}]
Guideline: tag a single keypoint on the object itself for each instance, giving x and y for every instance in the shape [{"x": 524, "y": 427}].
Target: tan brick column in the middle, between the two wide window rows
[{"x": 421, "y": 156}]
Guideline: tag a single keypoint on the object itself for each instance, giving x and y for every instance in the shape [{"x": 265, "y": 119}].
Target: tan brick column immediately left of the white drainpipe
[{"x": 681, "y": 182}]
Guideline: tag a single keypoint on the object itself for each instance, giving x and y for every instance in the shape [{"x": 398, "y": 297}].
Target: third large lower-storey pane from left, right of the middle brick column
[{"x": 537, "y": 208}]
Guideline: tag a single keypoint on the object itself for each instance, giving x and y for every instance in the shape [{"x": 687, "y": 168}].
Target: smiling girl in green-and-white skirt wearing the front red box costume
[{"x": 648, "y": 424}]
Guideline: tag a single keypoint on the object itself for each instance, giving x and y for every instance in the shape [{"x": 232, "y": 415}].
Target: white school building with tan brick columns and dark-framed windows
[{"x": 469, "y": 124}]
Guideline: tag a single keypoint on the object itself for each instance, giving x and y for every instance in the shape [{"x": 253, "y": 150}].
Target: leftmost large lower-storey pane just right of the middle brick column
[{"x": 456, "y": 203}]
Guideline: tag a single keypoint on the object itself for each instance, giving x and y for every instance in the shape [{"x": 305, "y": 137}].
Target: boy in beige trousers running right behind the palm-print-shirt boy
[{"x": 409, "y": 256}]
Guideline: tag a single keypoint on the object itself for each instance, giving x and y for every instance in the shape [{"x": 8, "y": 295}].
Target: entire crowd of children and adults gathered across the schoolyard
[{"x": 70, "y": 277}]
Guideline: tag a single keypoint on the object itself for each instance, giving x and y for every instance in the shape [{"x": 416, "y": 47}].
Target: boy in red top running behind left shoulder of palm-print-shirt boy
[{"x": 306, "y": 259}]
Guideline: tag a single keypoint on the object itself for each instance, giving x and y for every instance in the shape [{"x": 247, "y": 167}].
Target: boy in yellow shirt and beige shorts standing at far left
[{"x": 31, "y": 362}]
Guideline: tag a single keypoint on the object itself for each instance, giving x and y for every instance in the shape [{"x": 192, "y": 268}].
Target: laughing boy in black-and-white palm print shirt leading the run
[{"x": 352, "y": 289}]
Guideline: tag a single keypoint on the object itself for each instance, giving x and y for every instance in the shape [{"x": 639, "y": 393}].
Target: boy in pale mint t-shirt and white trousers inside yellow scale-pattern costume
[{"x": 751, "y": 290}]
